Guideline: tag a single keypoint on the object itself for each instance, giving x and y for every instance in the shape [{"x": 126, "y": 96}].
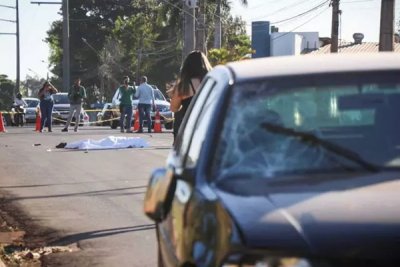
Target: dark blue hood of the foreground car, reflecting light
[{"x": 353, "y": 216}]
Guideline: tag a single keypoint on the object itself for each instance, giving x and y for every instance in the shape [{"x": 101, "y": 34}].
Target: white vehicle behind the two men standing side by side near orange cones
[{"x": 161, "y": 102}]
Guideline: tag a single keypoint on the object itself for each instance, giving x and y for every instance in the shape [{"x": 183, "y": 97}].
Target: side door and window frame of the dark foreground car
[{"x": 190, "y": 141}]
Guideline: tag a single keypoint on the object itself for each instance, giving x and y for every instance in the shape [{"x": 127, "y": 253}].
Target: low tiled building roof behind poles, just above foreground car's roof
[{"x": 366, "y": 47}]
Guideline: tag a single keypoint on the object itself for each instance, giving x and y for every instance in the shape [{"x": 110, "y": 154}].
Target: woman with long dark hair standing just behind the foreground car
[{"x": 194, "y": 68}]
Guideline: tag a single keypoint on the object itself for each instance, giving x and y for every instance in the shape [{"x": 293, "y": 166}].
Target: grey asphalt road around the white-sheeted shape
[{"x": 89, "y": 198}]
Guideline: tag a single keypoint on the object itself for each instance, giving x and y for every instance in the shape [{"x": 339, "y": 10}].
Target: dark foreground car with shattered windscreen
[{"x": 290, "y": 161}]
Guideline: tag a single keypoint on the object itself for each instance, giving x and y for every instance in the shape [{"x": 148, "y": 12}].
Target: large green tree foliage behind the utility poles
[{"x": 111, "y": 39}]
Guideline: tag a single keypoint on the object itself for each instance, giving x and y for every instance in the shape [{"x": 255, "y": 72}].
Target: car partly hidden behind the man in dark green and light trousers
[{"x": 61, "y": 110}]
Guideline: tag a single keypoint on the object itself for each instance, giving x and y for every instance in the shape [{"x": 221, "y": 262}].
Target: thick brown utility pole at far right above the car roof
[{"x": 387, "y": 25}]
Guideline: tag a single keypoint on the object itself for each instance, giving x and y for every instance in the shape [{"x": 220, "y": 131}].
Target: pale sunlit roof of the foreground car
[{"x": 313, "y": 64}]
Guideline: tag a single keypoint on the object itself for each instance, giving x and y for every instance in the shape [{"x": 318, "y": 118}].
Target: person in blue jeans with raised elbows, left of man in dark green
[{"x": 46, "y": 104}]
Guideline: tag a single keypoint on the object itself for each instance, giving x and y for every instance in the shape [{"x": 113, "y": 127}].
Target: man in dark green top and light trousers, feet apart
[{"x": 76, "y": 95}]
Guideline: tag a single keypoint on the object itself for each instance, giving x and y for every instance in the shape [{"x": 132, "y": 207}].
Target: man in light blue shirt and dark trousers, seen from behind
[{"x": 145, "y": 94}]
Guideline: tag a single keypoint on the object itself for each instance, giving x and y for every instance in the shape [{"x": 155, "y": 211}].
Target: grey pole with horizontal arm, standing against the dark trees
[{"x": 66, "y": 56}]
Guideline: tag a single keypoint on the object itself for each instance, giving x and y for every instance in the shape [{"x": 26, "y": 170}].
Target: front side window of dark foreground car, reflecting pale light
[{"x": 201, "y": 128}]
